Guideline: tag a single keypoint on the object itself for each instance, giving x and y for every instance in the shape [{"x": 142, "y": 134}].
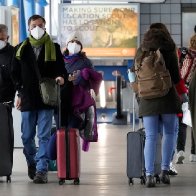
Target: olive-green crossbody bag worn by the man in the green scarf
[{"x": 48, "y": 89}]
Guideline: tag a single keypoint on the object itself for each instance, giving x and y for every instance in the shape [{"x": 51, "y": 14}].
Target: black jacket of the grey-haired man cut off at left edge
[{"x": 7, "y": 90}]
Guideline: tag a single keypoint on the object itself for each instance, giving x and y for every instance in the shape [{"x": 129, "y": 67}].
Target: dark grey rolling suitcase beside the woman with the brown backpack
[{"x": 135, "y": 154}]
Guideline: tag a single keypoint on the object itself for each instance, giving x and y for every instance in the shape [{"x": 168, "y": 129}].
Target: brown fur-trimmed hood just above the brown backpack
[{"x": 156, "y": 38}]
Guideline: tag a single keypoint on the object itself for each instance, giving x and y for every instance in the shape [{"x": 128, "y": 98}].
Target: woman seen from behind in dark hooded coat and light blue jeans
[{"x": 160, "y": 111}]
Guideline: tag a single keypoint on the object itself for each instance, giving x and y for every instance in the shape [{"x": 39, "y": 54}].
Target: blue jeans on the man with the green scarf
[{"x": 43, "y": 120}]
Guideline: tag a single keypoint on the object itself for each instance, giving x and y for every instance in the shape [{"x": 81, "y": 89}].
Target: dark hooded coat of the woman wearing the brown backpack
[{"x": 170, "y": 103}]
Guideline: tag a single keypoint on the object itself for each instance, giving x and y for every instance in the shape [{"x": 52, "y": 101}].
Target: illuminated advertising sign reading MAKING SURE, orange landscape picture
[{"x": 104, "y": 30}]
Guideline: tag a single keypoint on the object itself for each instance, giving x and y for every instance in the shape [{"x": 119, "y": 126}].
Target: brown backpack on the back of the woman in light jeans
[{"x": 153, "y": 79}]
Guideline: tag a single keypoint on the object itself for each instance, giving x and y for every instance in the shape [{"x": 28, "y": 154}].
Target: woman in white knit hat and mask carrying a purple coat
[{"x": 81, "y": 113}]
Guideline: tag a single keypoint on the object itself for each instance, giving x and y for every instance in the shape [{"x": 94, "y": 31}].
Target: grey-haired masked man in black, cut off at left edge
[{"x": 7, "y": 90}]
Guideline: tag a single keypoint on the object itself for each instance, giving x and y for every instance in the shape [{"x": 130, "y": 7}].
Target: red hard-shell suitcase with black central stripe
[{"x": 68, "y": 155}]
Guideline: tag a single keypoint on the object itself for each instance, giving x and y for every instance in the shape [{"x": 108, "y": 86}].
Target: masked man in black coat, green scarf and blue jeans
[{"x": 37, "y": 50}]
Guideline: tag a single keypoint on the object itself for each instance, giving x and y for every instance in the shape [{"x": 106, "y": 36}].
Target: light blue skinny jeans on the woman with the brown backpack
[{"x": 152, "y": 127}]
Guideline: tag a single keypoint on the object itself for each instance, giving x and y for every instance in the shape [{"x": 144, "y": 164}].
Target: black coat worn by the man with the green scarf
[{"x": 25, "y": 77}]
